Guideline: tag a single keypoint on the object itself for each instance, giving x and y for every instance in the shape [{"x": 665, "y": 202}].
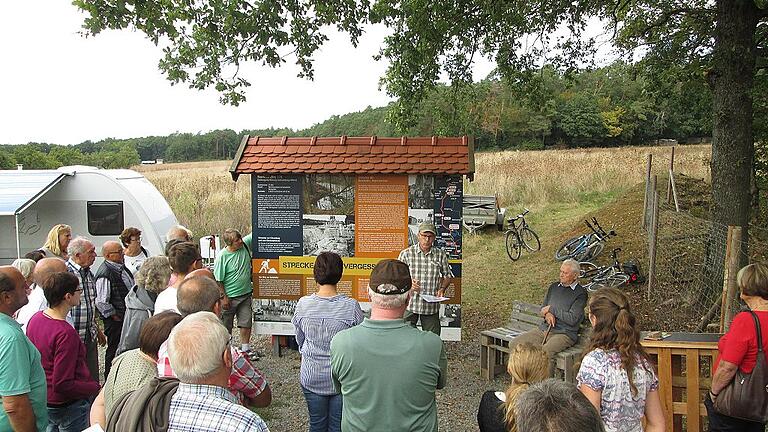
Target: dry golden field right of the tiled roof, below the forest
[{"x": 537, "y": 179}]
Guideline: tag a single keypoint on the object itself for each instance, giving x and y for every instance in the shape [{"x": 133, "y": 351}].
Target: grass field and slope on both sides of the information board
[{"x": 561, "y": 187}]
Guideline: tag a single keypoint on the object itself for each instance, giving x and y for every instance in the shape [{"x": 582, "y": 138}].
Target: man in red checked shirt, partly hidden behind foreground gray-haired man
[{"x": 201, "y": 294}]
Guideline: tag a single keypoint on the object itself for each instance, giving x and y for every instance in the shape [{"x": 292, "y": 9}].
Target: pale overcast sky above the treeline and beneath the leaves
[{"x": 59, "y": 87}]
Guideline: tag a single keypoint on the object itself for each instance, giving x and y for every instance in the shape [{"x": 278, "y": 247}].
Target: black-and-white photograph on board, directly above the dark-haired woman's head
[{"x": 329, "y": 233}]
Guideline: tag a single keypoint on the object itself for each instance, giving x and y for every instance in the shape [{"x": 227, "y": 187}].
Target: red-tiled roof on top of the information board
[{"x": 354, "y": 155}]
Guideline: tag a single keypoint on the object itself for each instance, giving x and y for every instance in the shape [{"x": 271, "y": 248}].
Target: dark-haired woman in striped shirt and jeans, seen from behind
[{"x": 318, "y": 318}]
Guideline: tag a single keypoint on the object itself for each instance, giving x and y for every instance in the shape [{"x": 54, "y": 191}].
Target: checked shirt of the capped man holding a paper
[{"x": 429, "y": 269}]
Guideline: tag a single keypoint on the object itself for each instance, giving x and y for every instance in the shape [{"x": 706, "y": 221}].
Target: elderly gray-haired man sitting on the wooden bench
[{"x": 562, "y": 313}]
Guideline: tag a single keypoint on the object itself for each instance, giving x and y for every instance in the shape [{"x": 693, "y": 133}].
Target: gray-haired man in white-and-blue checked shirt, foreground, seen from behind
[{"x": 199, "y": 350}]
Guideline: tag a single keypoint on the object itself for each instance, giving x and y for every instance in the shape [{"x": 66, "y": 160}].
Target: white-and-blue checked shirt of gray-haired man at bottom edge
[{"x": 207, "y": 408}]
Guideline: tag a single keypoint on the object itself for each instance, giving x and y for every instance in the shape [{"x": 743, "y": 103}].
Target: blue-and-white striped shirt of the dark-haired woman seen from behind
[{"x": 317, "y": 320}]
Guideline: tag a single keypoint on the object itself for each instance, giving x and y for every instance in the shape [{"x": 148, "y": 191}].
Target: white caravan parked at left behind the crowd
[{"x": 98, "y": 204}]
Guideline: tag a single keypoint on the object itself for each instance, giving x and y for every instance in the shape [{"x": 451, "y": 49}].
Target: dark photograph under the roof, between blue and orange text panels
[{"x": 329, "y": 194}]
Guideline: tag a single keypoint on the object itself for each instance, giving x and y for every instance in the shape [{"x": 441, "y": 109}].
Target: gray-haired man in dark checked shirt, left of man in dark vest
[{"x": 82, "y": 254}]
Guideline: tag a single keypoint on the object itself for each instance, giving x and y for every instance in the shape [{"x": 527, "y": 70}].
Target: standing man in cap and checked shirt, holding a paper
[{"x": 431, "y": 274}]
